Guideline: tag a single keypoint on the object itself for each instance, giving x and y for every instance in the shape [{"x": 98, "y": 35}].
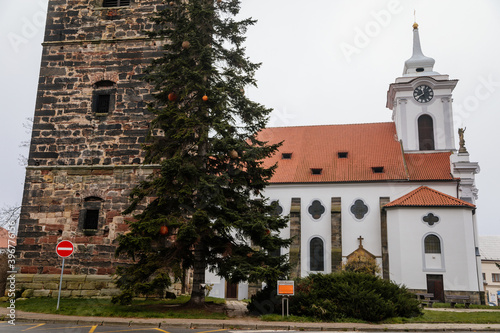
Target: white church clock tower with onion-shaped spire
[{"x": 421, "y": 102}]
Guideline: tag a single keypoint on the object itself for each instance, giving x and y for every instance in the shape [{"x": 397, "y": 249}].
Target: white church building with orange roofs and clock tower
[{"x": 399, "y": 191}]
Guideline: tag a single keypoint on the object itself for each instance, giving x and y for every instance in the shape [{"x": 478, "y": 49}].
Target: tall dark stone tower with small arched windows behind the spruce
[{"x": 89, "y": 123}]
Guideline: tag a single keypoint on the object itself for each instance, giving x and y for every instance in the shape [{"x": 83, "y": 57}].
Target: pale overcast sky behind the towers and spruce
[{"x": 324, "y": 62}]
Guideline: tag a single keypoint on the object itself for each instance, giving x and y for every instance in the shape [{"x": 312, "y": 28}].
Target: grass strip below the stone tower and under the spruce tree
[{"x": 138, "y": 309}]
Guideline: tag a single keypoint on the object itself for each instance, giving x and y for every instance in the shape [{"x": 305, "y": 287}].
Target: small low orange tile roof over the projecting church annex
[{"x": 425, "y": 196}]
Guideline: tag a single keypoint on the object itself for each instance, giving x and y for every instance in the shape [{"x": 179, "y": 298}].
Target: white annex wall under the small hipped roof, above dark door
[{"x": 410, "y": 265}]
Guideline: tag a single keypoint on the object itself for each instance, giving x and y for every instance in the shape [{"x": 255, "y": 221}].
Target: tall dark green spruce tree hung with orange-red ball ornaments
[{"x": 207, "y": 190}]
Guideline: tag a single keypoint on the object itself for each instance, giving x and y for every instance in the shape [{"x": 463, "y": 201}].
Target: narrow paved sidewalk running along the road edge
[{"x": 245, "y": 323}]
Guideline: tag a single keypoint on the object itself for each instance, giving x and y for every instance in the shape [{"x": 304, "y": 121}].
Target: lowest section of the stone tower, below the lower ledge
[{"x": 53, "y": 201}]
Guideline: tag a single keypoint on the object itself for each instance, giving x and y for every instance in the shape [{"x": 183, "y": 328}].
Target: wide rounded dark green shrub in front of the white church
[{"x": 352, "y": 295}]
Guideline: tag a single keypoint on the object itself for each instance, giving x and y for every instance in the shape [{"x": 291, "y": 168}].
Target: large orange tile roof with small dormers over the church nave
[{"x": 367, "y": 145}]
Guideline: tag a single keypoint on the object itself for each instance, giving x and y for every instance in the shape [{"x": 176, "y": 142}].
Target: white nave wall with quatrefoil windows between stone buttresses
[{"x": 367, "y": 227}]
